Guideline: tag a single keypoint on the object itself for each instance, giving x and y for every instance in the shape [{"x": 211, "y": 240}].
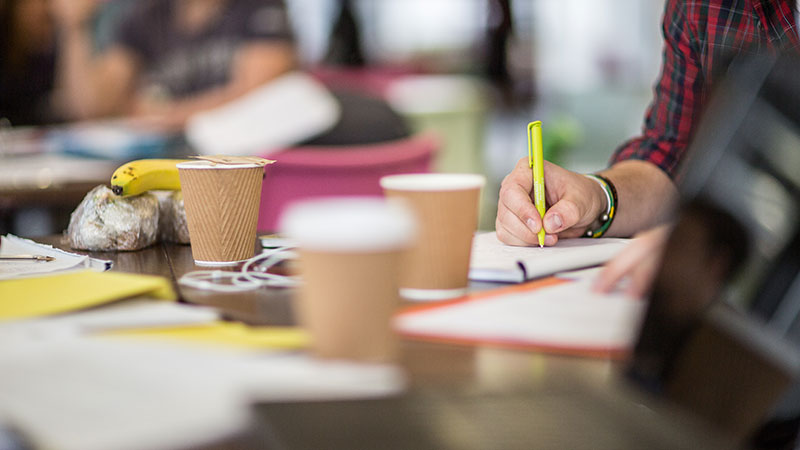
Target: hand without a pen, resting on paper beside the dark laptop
[{"x": 639, "y": 262}]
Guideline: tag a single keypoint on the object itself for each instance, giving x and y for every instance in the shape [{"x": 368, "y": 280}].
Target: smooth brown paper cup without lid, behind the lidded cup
[{"x": 446, "y": 207}]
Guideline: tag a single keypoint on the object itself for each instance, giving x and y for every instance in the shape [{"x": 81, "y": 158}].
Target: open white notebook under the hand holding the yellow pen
[{"x": 492, "y": 260}]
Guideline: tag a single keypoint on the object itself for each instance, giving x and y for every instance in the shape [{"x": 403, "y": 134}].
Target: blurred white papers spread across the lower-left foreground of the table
[{"x": 97, "y": 394}]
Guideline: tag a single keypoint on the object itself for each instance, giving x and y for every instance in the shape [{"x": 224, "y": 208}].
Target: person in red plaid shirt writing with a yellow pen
[{"x": 700, "y": 38}]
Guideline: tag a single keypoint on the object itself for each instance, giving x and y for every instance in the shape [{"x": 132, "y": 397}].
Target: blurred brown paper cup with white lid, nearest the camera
[{"x": 349, "y": 257}]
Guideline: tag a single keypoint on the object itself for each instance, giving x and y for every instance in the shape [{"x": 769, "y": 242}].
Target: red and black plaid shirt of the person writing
[{"x": 700, "y": 37}]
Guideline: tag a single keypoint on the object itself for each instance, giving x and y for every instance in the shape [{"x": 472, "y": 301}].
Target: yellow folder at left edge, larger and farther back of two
[{"x": 56, "y": 294}]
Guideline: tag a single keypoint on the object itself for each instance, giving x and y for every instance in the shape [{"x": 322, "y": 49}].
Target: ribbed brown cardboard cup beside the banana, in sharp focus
[{"x": 221, "y": 202}]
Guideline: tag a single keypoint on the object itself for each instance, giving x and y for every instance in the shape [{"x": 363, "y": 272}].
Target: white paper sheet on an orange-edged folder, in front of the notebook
[{"x": 567, "y": 316}]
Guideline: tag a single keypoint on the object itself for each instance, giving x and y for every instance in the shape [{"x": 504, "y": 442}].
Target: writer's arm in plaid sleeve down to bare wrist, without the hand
[{"x": 642, "y": 168}]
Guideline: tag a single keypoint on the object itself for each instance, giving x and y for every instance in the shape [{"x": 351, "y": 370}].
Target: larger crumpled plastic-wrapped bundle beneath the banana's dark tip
[{"x": 106, "y": 222}]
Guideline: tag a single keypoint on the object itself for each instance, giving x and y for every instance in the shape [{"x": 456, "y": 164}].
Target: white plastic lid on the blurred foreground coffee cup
[{"x": 349, "y": 224}]
